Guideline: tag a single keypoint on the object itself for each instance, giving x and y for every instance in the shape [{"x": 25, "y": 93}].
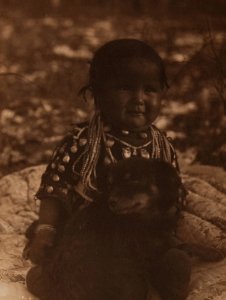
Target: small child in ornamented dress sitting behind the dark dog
[{"x": 126, "y": 79}]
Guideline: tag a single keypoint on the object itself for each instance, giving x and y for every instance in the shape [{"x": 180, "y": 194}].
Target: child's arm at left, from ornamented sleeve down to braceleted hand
[{"x": 57, "y": 196}]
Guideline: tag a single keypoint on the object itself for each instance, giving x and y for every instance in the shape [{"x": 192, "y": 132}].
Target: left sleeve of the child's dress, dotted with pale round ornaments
[{"x": 59, "y": 178}]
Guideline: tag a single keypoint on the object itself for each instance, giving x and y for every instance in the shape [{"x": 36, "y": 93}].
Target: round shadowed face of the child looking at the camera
[{"x": 133, "y": 99}]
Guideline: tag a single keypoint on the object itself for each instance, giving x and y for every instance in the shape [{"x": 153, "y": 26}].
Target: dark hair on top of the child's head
[{"x": 108, "y": 59}]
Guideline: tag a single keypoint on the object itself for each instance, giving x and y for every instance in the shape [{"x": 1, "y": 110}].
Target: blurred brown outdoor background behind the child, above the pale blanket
[{"x": 45, "y": 48}]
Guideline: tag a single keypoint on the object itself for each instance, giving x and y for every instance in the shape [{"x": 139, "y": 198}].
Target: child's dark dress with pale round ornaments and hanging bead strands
[{"x": 75, "y": 163}]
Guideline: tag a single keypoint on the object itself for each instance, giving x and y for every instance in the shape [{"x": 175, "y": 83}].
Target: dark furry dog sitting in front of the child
[{"x": 124, "y": 241}]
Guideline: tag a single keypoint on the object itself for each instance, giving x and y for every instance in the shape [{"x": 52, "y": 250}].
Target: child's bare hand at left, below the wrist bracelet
[{"x": 40, "y": 247}]
